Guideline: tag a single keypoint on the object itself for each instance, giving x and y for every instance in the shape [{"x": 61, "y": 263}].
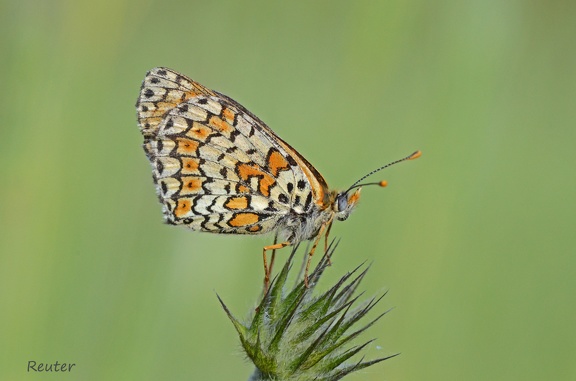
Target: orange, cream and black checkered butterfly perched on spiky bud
[{"x": 219, "y": 169}]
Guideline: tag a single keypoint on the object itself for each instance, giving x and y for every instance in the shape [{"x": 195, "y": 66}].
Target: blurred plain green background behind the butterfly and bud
[{"x": 475, "y": 240}]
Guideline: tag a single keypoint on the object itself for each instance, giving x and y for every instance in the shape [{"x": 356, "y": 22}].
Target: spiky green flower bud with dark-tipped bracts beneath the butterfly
[{"x": 296, "y": 335}]
